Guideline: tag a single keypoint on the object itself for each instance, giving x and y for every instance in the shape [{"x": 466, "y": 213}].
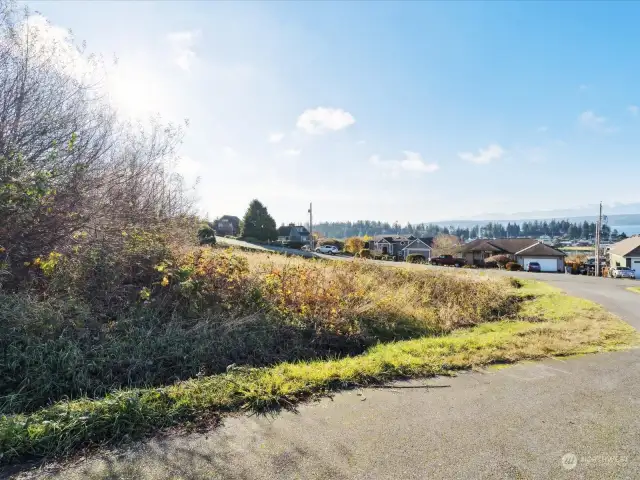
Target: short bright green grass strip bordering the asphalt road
[{"x": 547, "y": 323}]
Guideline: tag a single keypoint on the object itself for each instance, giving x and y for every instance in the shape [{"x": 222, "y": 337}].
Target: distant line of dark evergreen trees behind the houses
[{"x": 532, "y": 228}]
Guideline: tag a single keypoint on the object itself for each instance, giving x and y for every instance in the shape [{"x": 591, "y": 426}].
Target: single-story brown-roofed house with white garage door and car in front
[{"x": 522, "y": 250}]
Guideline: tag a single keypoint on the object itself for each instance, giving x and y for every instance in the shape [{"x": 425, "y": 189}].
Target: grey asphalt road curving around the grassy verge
[{"x": 518, "y": 422}]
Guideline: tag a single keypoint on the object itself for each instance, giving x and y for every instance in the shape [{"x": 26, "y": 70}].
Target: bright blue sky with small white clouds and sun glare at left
[{"x": 392, "y": 111}]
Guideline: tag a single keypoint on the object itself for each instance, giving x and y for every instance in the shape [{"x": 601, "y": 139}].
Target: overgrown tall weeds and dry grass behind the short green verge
[{"x": 170, "y": 313}]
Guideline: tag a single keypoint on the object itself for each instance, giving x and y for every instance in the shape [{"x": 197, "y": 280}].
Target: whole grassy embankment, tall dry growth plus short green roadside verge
[{"x": 300, "y": 328}]
